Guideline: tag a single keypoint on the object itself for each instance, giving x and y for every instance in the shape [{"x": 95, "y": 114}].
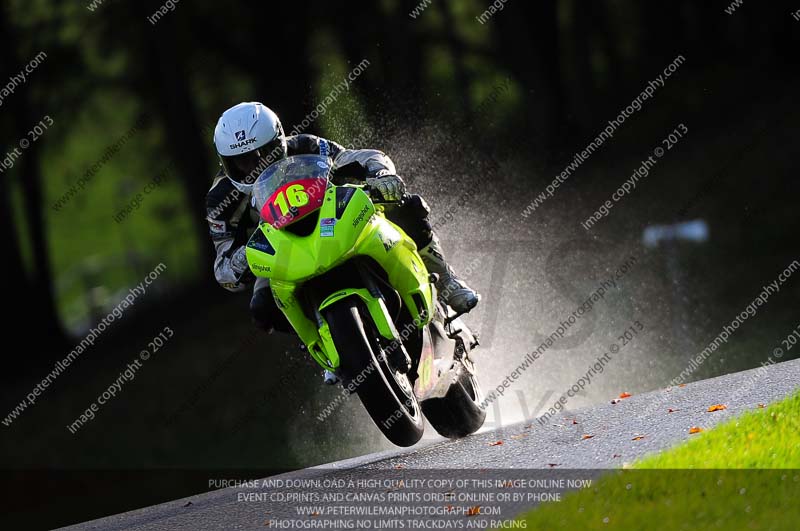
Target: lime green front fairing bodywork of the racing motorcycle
[{"x": 349, "y": 225}]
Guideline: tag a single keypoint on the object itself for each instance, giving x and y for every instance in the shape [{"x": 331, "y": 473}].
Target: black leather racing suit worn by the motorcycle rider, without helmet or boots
[{"x": 232, "y": 218}]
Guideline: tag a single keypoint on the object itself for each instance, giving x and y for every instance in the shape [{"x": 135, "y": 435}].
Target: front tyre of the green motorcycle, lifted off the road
[{"x": 387, "y": 395}]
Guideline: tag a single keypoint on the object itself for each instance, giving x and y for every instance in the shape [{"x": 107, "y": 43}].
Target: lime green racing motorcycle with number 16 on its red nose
[{"x": 357, "y": 293}]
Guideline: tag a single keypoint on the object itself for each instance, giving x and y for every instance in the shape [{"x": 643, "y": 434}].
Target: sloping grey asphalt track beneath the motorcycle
[{"x": 557, "y": 448}]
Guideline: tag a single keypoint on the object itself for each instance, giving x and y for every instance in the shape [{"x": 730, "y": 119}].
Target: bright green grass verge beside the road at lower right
[{"x": 736, "y": 476}]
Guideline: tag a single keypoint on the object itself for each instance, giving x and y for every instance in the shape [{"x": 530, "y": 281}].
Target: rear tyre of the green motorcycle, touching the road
[{"x": 458, "y": 413}]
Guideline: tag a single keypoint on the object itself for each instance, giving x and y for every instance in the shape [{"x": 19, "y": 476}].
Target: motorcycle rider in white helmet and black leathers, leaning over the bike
[{"x": 249, "y": 137}]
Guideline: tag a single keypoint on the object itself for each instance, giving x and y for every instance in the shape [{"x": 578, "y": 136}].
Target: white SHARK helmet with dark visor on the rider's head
[{"x": 249, "y": 137}]
